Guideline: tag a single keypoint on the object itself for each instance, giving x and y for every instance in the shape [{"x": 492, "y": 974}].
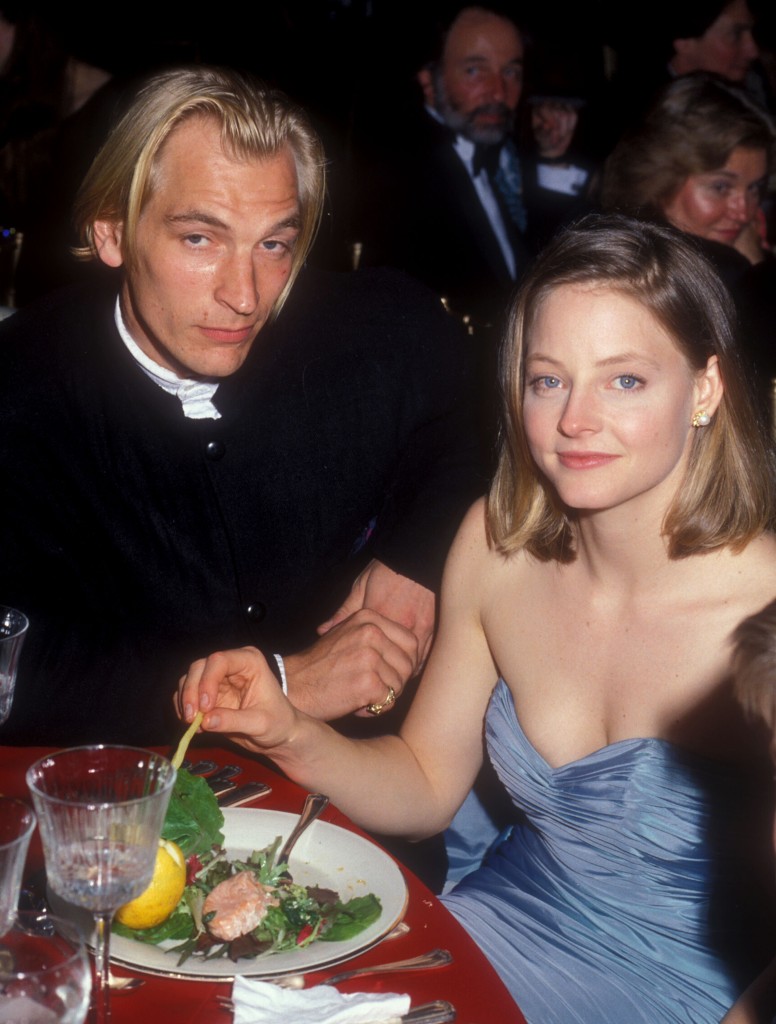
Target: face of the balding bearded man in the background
[{"x": 478, "y": 86}]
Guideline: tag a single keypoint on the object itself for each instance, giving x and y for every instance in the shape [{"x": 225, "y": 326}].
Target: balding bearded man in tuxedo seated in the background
[{"x": 447, "y": 203}]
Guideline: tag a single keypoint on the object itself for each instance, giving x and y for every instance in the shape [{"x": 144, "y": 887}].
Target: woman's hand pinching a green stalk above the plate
[{"x": 239, "y": 696}]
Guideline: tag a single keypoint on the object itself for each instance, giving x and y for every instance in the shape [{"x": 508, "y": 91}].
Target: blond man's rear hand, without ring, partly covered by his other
[{"x": 397, "y": 598}]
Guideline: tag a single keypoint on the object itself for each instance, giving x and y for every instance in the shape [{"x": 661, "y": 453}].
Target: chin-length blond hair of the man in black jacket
[{"x": 256, "y": 123}]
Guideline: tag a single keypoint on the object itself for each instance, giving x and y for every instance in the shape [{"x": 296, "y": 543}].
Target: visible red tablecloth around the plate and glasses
[{"x": 469, "y": 984}]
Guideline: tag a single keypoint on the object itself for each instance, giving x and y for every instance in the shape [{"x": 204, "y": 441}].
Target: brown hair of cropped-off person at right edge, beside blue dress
[{"x": 755, "y": 664}]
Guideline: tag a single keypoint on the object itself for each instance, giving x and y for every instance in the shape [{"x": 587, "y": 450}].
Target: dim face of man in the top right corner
[{"x": 727, "y": 48}]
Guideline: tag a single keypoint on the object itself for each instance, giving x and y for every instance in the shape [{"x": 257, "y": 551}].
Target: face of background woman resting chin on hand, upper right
[{"x": 718, "y": 205}]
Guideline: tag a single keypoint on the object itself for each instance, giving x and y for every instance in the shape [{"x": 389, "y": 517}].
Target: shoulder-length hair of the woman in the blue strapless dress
[{"x": 727, "y": 496}]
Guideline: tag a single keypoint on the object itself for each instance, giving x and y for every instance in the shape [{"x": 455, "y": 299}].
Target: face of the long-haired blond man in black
[{"x": 214, "y": 249}]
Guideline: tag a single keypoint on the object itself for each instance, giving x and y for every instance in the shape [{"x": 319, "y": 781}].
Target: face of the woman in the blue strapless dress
[{"x": 610, "y": 400}]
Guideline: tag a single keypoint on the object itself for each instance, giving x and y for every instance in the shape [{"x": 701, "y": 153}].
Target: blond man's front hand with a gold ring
[{"x": 355, "y": 664}]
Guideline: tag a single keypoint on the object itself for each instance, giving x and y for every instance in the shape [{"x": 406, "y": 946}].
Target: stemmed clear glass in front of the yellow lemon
[{"x": 101, "y": 812}]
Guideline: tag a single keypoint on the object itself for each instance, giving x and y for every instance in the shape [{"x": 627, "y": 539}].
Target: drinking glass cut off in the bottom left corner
[{"x": 45, "y": 972}]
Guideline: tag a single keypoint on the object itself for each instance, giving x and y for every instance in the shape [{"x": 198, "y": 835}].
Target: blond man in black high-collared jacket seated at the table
[{"x": 211, "y": 458}]
